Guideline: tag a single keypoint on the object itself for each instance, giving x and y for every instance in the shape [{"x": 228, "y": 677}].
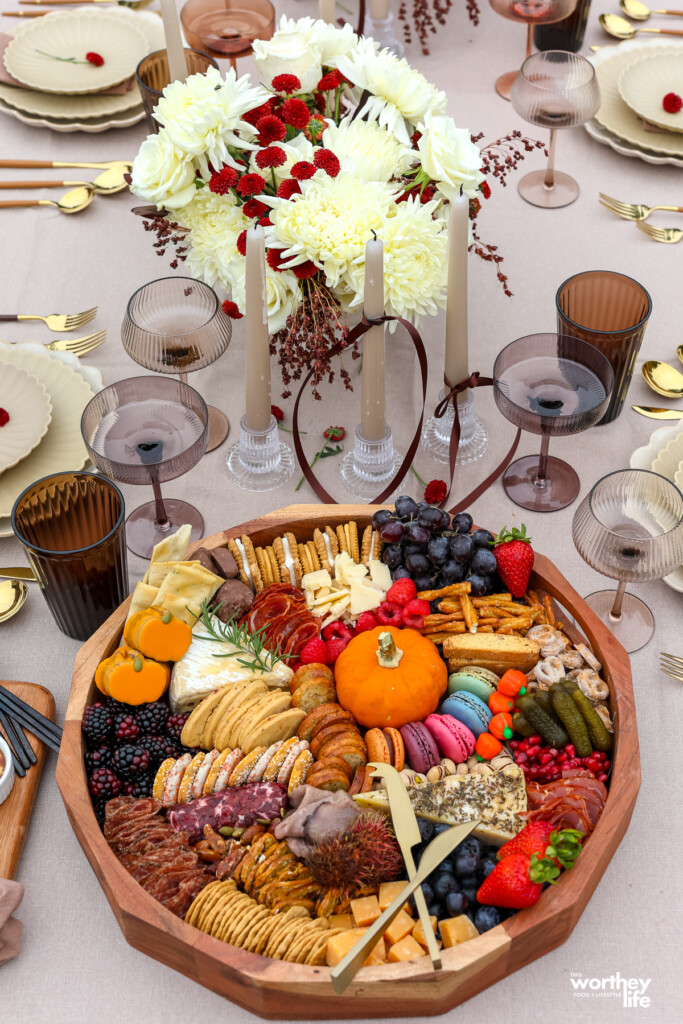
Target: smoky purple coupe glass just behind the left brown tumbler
[{"x": 149, "y": 431}]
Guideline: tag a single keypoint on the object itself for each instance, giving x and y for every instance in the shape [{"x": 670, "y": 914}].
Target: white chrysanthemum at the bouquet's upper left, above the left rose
[{"x": 203, "y": 116}]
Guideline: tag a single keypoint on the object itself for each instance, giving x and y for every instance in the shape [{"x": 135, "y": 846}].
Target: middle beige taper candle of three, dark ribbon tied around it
[{"x": 373, "y": 399}]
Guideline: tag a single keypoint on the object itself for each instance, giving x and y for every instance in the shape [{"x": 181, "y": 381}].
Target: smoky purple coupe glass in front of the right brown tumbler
[{"x": 551, "y": 386}]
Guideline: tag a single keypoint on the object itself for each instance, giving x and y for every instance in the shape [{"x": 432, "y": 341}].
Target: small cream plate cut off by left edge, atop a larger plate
[{"x": 30, "y": 409}]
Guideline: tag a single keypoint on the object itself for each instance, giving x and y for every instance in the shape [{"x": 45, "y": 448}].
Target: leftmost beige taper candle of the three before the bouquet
[{"x": 259, "y": 343}]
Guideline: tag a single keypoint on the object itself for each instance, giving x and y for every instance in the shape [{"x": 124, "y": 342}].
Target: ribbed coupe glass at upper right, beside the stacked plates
[{"x": 554, "y": 90}]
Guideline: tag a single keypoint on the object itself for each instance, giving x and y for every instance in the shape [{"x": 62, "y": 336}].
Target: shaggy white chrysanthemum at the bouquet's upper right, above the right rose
[{"x": 398, "y": 93}]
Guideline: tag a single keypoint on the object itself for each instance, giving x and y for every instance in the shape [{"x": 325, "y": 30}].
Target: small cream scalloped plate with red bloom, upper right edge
[{"x": 645, "y": 83}]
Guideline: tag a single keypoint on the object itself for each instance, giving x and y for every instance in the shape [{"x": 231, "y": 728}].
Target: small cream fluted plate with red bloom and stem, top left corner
[{"x": 73, "y": 34}]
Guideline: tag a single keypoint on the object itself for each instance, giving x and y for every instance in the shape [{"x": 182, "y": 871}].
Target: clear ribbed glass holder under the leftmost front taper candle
[{"x": 261, "y": 461}]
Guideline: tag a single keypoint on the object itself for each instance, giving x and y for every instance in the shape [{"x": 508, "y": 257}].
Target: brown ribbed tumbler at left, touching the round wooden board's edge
[{"x": 72, "y": 529}]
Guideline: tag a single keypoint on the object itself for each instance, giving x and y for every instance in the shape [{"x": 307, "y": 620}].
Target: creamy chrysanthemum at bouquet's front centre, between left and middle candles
[{"x": 330, "y": 223}]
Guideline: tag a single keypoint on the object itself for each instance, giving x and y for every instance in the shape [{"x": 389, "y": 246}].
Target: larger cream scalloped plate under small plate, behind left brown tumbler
[{"x": 70, "y": 388}]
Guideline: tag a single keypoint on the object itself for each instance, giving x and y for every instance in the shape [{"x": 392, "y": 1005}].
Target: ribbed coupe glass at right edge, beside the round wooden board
[{"x": 629, "y": 528}]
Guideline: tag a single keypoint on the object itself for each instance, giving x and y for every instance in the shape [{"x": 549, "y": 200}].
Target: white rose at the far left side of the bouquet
[{"x": 162, "y": 175}]
